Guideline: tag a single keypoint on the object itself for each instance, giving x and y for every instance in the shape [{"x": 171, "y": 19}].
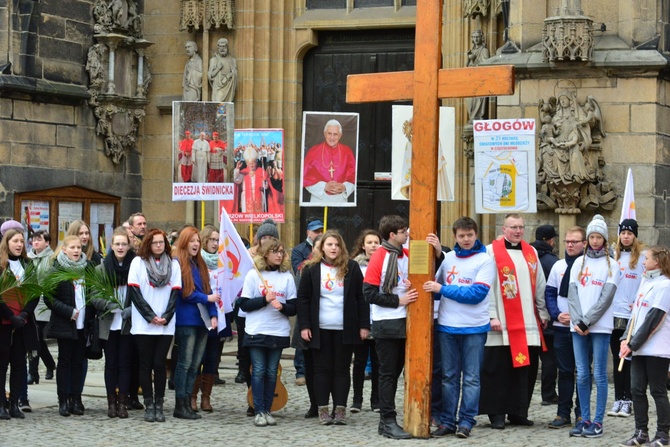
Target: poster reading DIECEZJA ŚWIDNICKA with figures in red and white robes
[{"x": 202, "y": 150}]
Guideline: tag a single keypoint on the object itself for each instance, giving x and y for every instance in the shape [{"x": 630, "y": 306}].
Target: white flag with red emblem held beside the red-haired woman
[{"x": 234, "y": 263}]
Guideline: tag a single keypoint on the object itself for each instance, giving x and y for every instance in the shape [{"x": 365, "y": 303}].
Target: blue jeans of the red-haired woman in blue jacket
[{"x": 191, "y": 342}]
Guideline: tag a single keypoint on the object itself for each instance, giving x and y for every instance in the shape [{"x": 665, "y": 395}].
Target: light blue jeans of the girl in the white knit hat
[{"x": 585, "y": 346}]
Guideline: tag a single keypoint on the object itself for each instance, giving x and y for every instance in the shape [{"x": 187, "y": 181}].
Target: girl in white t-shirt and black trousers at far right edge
[{"x": 650, "y": 347}]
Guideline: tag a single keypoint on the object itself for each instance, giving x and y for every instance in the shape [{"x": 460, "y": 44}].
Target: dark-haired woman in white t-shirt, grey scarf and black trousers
[{"x": 154, "y": 285}]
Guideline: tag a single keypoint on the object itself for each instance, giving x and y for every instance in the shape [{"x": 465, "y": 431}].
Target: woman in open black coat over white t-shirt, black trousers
[{"x": 333, "y": 317}]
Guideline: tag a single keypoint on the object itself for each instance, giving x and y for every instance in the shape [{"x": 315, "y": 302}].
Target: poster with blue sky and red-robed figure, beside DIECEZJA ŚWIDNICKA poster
[{"x": 258, "y": 176}]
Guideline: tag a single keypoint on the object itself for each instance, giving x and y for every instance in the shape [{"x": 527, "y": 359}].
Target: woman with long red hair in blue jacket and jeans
[{"x": 196, "y": 301}]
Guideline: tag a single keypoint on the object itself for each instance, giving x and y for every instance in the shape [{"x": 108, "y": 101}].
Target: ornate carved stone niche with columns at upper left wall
[{"x": 119, "y": 74}]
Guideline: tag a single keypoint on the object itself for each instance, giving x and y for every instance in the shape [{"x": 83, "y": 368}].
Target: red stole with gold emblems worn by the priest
[{"x": 509, "y": 289}]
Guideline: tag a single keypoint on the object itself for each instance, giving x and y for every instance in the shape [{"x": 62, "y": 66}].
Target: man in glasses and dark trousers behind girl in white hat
[{"x": 557, "y": 303}]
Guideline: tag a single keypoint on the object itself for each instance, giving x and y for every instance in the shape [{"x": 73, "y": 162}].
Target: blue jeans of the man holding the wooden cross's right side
[{"x": 461, "y": 354}]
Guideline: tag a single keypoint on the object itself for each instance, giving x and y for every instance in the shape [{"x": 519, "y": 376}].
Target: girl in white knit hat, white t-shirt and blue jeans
[{"x": 592, "y": 288}]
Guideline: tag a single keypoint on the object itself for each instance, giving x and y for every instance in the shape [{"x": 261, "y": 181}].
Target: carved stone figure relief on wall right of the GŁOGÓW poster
[{"x": 570, "y": 176}]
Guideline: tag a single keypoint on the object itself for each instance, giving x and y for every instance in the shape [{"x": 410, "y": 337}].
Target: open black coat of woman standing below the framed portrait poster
[{"x": 356, "y": 310}]
